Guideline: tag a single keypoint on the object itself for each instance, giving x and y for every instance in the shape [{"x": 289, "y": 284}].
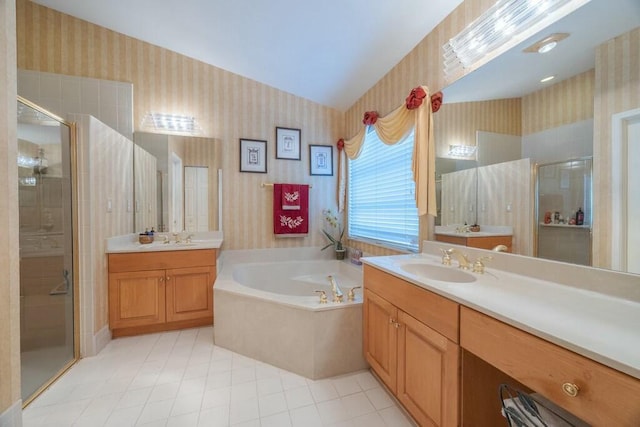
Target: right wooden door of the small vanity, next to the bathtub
[{"x": 190, "y": 293}]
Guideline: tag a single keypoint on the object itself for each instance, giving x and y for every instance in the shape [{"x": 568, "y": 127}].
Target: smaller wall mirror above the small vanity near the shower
[{"x": 176, "y": 182}]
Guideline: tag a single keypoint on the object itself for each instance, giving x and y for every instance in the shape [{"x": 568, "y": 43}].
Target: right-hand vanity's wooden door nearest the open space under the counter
[{"x": 428, "y": 373}]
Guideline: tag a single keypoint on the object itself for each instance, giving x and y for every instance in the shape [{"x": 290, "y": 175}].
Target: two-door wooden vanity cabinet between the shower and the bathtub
[{"x": 157, "y": 291}]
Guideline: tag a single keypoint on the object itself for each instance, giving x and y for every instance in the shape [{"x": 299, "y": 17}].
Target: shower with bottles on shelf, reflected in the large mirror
[{"x": 563, "y": 189}]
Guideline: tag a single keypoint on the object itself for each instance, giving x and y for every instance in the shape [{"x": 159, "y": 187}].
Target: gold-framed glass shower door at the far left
[{"x": 48, "y": 338}]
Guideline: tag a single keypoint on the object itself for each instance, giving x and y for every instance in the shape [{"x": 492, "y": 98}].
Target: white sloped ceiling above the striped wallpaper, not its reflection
[{"x": 330, "y": 52}]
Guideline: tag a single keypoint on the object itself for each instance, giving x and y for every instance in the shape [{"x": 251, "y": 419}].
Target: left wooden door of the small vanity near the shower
[{"x": 136, "y": 298}]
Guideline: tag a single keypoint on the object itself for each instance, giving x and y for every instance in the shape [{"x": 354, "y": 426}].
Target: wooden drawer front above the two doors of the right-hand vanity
[{"x": 429, "y": 308}]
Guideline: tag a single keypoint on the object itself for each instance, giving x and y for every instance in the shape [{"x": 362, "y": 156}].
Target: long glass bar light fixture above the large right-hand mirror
[{"x": 502, "y": 26}]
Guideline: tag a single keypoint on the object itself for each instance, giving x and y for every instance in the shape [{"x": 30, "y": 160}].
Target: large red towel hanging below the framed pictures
[{"x": 290, "y": 223}]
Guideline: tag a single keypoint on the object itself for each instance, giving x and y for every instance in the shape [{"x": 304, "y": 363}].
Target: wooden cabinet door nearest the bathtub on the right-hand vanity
[{"x": 380, "y": 337}]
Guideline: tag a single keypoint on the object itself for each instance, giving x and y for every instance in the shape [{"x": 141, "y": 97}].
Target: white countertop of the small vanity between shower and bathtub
[{"x": 199, "y": 240}]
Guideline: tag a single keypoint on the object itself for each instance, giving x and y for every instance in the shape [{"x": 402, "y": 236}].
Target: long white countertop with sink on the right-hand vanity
[{"x": 597, "y": 325}]
